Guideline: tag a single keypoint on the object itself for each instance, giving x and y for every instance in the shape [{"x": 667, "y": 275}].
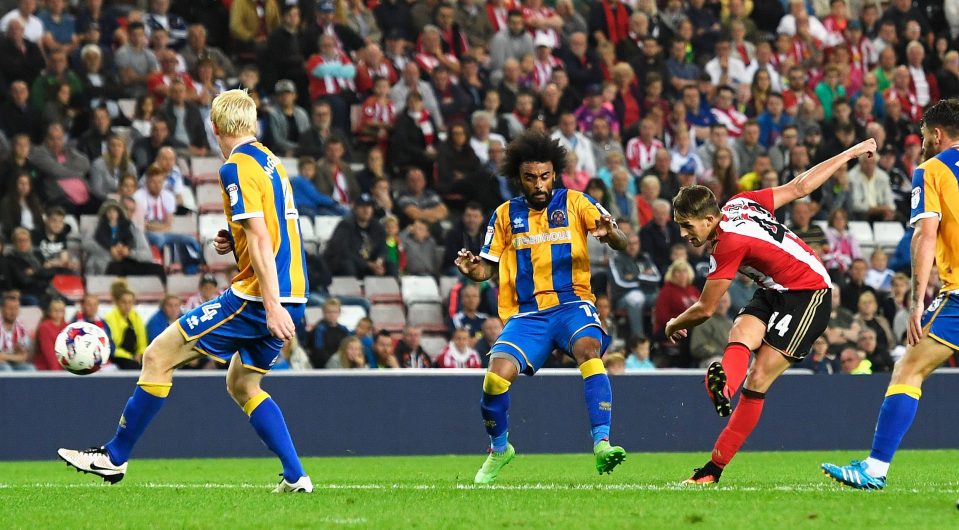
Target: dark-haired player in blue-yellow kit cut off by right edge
[{"x": 934, "y": 332}]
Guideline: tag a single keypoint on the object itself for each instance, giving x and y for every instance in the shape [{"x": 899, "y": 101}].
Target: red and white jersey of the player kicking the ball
[{"x": 750, "y": 240}]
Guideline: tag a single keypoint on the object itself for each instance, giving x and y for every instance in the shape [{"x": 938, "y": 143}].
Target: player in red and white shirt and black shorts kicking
[{"x": 790, "y": 309}]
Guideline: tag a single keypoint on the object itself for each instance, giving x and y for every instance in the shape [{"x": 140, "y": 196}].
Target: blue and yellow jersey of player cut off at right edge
[{"x": 935, "y": 193}]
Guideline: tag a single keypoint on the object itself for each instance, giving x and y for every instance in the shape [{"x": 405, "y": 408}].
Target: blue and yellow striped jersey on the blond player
[{"x": 255, "y": 184}]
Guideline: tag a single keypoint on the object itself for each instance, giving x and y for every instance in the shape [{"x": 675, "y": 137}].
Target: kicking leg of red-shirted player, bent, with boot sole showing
[{"x": 724, "y": 378}]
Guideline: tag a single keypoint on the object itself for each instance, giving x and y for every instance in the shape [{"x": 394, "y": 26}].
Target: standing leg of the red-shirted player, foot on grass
[{"x": 769, "y": 365}]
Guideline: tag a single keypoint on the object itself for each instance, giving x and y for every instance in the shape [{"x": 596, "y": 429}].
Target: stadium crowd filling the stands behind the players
[{"x": 392, "y": 117}]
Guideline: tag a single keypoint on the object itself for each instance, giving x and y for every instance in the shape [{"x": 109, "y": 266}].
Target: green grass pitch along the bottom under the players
[{"x": 781, "y": 490}]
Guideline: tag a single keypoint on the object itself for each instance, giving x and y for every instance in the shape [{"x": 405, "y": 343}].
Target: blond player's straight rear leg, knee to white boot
[{"x": 243, "y": 384}]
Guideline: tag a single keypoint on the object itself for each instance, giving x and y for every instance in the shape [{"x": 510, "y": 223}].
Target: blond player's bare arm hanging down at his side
[{"x": 260, "y": 246}]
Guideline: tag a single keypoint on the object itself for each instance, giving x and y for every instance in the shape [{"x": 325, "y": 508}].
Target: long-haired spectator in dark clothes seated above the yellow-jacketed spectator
[{"x": 118, "y": 246}]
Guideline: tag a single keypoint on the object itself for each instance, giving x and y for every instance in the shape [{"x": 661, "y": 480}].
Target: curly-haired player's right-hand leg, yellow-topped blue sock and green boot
[{"x": 599, "y": 397}]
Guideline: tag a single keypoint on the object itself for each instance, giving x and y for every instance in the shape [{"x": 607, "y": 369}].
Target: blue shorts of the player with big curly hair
[{"x": 530, "y": 339}]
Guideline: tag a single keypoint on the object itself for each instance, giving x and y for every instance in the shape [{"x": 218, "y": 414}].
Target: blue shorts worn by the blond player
[{"x": 229, "y": 324}]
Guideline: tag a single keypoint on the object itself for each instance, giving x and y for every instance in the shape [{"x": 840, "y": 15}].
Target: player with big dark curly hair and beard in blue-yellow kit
[{"x": 537, "y": 245}]
